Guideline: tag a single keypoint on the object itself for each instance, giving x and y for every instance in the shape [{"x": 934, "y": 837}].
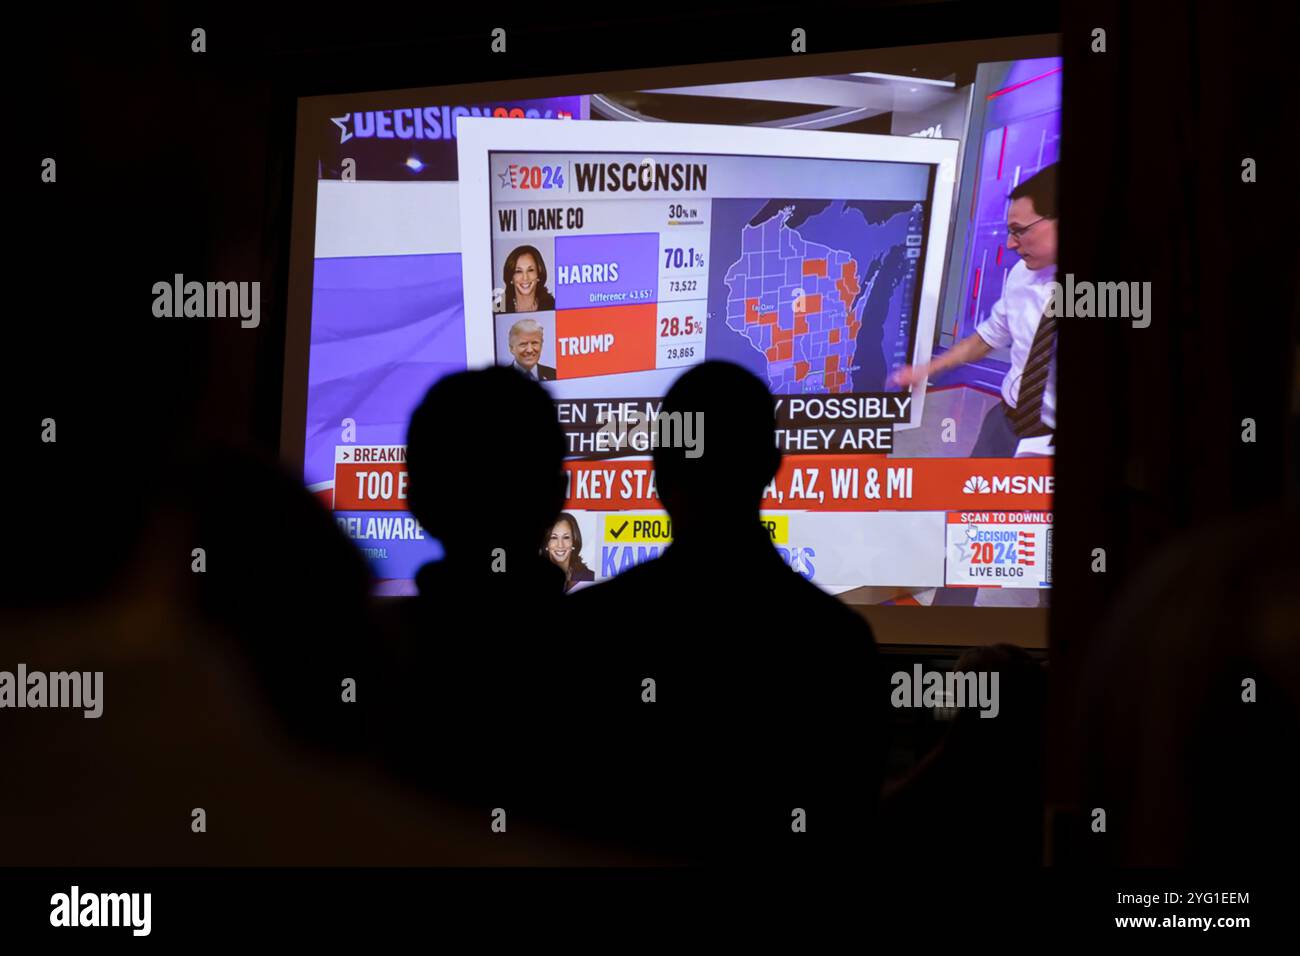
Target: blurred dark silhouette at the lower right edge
[{"x": 1190, "y": 702}]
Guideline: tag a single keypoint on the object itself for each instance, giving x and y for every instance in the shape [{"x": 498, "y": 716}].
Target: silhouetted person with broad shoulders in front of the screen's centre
[{"x": 768, "y": 712}]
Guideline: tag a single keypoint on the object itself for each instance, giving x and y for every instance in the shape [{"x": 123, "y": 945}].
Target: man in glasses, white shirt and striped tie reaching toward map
[{"x": 1017, "y": 321}]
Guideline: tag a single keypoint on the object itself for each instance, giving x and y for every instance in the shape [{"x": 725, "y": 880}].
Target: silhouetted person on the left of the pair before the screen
[{"x": 475, "y": 669}]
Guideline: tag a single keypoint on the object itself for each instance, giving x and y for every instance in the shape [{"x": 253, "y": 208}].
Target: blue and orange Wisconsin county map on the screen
[{"x": 801, "y": 305}]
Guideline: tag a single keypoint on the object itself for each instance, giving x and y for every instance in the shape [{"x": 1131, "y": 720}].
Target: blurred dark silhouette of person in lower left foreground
[{"x": 222, "y": 693}]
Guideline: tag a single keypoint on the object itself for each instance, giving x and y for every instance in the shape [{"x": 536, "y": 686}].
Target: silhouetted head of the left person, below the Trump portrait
[{"x": 486, "y": 460}]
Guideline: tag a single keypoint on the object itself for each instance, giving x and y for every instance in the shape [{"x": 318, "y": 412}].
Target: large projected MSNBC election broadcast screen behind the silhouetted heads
[{"x": 604, "y": 256}]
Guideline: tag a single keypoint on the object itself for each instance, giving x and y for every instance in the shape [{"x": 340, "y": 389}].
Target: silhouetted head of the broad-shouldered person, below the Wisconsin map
[{"x": 717, "y": 477}]
